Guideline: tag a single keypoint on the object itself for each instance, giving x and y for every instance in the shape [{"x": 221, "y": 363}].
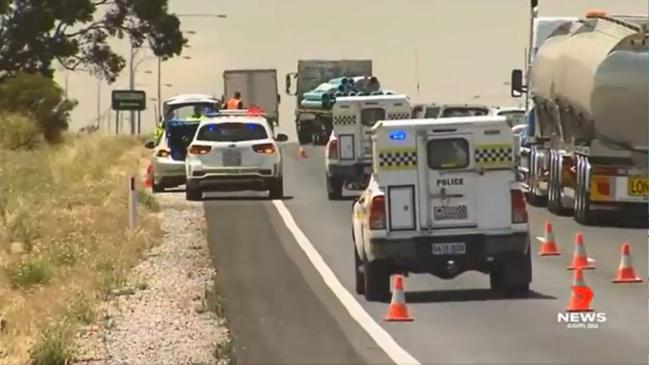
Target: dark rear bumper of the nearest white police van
[{"x": 416, "y": 254}]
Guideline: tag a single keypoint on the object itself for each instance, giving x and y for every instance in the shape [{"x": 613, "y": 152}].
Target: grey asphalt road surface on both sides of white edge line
[{"x": 280, "y": 311}]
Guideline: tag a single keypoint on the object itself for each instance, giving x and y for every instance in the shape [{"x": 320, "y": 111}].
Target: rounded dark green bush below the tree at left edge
[{"x": 42, "y": 99}]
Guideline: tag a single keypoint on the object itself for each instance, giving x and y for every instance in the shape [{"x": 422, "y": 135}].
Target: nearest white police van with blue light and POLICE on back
[{"x": 442, "y": 200}]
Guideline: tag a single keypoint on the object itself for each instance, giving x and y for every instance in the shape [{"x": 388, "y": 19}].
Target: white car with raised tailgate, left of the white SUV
[{"x": 175, "y": 133}]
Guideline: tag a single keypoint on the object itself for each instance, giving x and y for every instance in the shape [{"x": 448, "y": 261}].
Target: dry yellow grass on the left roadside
[{"x": 66, "y": 207}]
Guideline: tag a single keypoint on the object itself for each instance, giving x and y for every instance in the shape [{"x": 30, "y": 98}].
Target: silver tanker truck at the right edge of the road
[{"x": 588, "y": 147}]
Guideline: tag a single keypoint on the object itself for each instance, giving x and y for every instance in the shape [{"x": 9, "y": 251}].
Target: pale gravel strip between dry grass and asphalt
[{"x": 169, "y": 313}]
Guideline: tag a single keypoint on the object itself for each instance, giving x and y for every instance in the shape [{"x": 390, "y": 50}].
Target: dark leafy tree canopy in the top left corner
[{"x": 34, "y": 33}]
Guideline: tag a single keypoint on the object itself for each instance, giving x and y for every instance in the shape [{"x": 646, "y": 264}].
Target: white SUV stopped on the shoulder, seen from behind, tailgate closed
[{"x": 234, "y": 153}]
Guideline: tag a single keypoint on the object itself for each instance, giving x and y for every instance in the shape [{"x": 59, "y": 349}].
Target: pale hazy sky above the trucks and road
[{"x": 457, "y": 50}]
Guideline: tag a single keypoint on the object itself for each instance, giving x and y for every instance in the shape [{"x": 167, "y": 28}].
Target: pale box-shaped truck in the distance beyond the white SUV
[{"x": 257, "y": 87}]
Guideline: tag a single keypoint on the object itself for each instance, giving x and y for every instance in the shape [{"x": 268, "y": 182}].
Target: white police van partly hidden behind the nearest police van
[{"x": 348, "y": 154}]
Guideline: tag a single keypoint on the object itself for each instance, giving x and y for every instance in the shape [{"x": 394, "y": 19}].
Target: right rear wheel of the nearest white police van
[{"x": 512, "y": 277}]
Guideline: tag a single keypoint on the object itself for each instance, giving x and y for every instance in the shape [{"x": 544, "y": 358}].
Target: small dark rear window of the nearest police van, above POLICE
[{"x": 447, "y": 154}]
